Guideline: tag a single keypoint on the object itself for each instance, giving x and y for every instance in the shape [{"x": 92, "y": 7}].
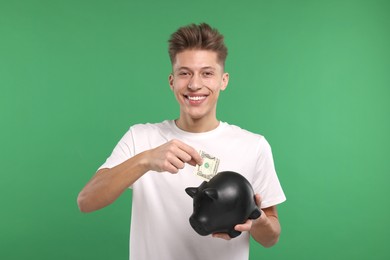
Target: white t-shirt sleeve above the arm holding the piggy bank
[{"x": 266, "y": 181}]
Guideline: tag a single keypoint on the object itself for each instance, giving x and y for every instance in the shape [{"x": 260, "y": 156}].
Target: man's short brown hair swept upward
[{"x": 197, "y": 37}]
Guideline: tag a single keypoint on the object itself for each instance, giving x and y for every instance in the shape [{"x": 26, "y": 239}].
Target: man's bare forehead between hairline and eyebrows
[{"x": 196, "y": 59}]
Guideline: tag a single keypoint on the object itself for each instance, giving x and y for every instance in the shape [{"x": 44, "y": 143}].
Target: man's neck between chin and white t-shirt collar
[{"x": 196, "y": 125}]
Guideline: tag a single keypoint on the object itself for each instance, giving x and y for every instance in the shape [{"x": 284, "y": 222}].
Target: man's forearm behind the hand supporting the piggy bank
[{"x": 266, "y": 229}]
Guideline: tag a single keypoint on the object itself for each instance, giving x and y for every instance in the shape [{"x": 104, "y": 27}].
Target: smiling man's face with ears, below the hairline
[{"x": 196, "y": 81}]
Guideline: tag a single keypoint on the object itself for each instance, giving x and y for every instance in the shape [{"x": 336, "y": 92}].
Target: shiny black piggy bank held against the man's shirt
[{"x": 223, "y": 202}]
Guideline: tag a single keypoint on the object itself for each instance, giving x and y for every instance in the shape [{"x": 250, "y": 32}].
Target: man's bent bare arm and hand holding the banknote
[{"x": 108, "y": 184}]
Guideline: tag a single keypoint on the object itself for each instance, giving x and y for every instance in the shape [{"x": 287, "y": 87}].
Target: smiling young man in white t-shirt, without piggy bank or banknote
[{"x": 157, "y": 161}]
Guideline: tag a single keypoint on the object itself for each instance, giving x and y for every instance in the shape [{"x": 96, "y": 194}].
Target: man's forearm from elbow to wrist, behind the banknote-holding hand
[{"x": 108, "y": 184}]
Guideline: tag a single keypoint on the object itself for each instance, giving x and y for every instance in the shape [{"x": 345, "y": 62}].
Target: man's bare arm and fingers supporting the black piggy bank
[{"x": 265, "y": 230}]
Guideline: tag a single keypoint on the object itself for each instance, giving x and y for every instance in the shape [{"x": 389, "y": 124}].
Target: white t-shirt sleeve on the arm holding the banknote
[{"x": 122, "y": 151}]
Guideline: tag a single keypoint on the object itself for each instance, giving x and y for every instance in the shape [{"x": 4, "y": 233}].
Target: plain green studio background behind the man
[{"x": 311, "y": 76}]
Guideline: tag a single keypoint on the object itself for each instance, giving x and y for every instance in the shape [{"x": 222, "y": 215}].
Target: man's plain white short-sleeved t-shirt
[{"x": 160, "y": 227}]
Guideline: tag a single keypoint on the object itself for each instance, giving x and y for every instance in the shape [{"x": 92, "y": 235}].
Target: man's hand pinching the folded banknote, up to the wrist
[{"x": 172, "y": 156}]
